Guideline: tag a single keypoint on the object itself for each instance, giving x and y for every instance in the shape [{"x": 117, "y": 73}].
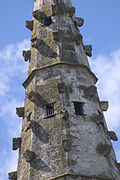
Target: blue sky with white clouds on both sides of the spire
[{"x": 101, "y": 29}]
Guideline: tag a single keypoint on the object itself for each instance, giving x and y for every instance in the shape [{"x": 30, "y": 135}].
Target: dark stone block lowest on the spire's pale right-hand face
[{"x": 104, "y": 149}]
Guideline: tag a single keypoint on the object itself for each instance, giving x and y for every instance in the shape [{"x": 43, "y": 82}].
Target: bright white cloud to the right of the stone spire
[{"x": 107, "y": 69}]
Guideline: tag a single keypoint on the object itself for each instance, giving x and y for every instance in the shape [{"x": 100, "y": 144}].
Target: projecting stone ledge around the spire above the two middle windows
[{"x": 58, "y": 65}]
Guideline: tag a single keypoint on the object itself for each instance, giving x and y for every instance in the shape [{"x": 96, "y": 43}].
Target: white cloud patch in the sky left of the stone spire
[{"x": 13, "y": 68}]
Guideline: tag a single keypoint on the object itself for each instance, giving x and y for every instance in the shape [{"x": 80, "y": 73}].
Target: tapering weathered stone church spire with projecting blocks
[{"x": 64, "y": 135}]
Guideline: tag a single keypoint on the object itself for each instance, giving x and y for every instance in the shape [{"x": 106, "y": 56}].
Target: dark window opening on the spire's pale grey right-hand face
[{"x": 78, "y": 106}]
